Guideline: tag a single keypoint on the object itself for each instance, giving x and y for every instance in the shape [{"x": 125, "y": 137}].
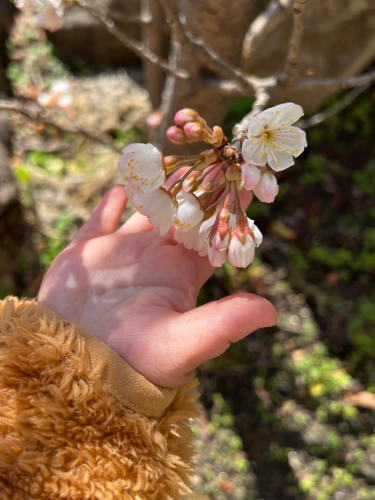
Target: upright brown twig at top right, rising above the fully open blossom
[{"x": 290, "y": 76}]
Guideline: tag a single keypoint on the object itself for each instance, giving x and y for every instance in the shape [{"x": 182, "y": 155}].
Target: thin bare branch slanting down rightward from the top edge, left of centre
[{"x": 131, "y": 43}]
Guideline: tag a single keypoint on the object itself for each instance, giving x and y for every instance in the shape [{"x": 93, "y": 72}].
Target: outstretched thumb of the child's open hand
[{"x": 207, "y": 331}]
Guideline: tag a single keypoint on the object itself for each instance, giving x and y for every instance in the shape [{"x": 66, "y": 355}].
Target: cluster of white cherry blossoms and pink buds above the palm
[{"x": 200, "y": 196}]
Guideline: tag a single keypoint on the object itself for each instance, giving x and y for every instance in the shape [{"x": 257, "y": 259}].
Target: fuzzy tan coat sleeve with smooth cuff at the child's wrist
[{"x": 77, "y": 423}]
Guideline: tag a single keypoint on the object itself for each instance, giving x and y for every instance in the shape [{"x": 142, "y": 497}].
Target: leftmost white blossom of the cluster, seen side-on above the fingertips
[{"x": 143, "y": 167}]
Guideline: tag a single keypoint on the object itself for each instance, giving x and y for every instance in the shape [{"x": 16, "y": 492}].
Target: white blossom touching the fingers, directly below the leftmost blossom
[{"x": 158, "y": 207}]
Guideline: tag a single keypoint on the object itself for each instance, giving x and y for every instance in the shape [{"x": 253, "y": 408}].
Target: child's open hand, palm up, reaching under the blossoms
[{"x": 137, "y": 292}]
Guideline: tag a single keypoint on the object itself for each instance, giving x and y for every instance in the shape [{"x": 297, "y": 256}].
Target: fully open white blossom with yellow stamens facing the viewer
[{"x": 272, "y": 139}]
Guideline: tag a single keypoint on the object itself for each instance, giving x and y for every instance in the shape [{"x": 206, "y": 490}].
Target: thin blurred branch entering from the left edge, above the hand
[{"x": 35, "y": 113}]
